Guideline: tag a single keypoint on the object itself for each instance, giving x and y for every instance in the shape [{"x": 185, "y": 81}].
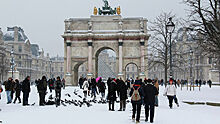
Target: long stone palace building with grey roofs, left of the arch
[{"x": 29, "y": 59}]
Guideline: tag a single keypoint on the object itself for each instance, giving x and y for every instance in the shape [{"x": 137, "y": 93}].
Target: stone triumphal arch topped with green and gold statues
[{"x": 85, "y": 38}]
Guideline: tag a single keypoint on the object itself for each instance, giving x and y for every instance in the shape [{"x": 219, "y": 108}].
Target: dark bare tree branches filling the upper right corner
[{"x": 205, "y": 18}]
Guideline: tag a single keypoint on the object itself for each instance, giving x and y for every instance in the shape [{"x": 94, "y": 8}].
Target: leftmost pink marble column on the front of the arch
[{"x": 68, "y": 43}]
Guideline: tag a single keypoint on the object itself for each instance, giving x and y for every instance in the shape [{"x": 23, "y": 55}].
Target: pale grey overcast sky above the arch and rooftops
[{"x": 43, "y": 20}]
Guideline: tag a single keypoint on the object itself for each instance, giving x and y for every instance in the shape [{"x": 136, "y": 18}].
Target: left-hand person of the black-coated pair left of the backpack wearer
[{"x": 112, "y": 87}]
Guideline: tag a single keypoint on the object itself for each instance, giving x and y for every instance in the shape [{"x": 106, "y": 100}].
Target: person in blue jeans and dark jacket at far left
[{"x": 8, "y": 89}]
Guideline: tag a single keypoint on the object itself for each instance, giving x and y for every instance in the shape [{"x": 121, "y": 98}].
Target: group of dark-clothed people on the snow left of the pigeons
[{"x": 16, "y": 87}]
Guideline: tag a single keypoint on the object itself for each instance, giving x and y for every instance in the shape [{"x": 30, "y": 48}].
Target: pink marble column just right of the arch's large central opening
[{"x": 120, "y": 64}]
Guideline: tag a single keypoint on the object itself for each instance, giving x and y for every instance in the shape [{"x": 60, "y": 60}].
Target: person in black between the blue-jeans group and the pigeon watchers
[{"x": 26, "y": 89}]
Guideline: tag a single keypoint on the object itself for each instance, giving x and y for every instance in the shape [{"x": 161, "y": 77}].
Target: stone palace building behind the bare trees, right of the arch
[{"x": 189, "y": 55}]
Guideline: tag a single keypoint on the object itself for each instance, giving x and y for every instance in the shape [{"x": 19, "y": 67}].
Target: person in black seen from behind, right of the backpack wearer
[{"x": 150, "y": 91}]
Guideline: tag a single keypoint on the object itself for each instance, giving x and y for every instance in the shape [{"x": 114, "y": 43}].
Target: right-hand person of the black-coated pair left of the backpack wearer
[{"x": 122, "y": 95}]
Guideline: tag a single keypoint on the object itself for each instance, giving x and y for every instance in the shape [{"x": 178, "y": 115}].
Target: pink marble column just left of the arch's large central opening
[{"x": 90, "y": 57}]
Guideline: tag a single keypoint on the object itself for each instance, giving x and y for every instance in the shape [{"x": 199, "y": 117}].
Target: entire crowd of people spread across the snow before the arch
[{"x": 142, "y": 92}]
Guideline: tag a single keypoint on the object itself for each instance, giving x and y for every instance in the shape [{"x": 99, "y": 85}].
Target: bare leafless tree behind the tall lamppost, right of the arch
[{"x": 159, "y": 42}]
